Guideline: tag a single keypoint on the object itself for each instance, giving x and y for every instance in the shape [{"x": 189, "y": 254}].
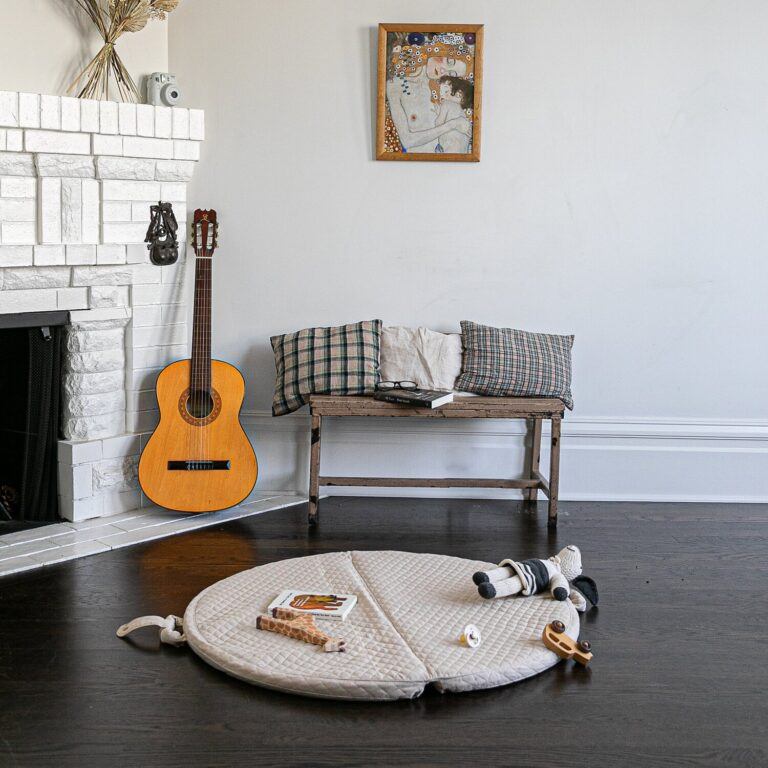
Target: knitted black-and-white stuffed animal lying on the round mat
[{"x": 560, "y": 575}]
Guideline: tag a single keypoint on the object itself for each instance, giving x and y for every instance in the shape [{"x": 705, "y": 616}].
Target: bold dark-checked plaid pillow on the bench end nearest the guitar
[{"x": 325, "y": 361}]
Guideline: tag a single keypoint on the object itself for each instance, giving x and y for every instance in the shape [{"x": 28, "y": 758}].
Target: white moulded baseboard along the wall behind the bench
[{"x": 602, "y": 459}]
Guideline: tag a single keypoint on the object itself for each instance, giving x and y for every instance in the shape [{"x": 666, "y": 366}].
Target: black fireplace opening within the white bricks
[{"x": 30, "y": 396}]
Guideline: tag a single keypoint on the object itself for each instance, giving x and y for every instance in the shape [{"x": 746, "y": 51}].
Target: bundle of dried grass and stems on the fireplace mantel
[{"x": 112, "y": 18}]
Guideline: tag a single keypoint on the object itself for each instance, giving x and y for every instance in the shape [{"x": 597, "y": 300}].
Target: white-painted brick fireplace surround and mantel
[{"x": 77, "y": 178}]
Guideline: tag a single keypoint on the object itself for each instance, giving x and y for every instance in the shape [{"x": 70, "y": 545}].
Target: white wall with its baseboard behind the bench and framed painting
[{"x": 621, "y": 197}]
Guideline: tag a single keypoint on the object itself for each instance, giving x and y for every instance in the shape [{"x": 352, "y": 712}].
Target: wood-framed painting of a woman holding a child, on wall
[{"x": 430, "y": 89}]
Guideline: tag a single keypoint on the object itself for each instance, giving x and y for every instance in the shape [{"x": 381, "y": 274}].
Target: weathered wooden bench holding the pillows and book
[{"x": 533, "y": 410}]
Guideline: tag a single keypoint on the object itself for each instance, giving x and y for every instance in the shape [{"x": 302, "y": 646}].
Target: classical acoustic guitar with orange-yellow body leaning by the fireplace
[{"x": 199, "y": 458}]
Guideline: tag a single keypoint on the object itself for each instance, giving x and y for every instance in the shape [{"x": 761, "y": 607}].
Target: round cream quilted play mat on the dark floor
[{"x": 403, "y": 633}]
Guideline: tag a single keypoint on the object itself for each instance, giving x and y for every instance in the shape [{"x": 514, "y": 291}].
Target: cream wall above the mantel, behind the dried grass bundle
[{"x": 44, "y": 44}]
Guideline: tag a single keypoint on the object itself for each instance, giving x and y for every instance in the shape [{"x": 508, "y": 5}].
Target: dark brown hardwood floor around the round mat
[{"x": 679, "y": 676}]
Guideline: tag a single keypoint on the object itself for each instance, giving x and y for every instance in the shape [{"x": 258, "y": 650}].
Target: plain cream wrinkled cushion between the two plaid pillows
[{"x": 431, "y": 359}]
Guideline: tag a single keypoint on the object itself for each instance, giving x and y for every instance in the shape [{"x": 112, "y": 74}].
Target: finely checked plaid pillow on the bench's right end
[{"x": 503, "y": 362}]
